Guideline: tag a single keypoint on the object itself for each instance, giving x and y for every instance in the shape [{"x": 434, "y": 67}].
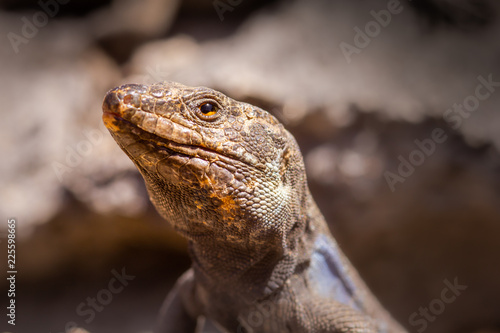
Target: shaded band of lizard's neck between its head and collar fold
[{"x": 256, "y": 271}]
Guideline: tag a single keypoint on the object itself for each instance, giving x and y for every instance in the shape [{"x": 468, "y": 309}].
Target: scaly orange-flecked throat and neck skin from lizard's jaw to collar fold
[{"x": 233, "y": 250}]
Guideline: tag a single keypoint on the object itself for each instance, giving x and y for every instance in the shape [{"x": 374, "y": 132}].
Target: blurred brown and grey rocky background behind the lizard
[{"x": 395, "y": 105}]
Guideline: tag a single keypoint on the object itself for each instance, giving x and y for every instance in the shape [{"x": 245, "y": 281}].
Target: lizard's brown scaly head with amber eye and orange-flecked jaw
[{"x": 213, "y": 166}]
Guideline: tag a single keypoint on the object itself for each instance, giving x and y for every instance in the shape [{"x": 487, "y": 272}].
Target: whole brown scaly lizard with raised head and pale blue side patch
[{"x": 231, "y": 179}]
